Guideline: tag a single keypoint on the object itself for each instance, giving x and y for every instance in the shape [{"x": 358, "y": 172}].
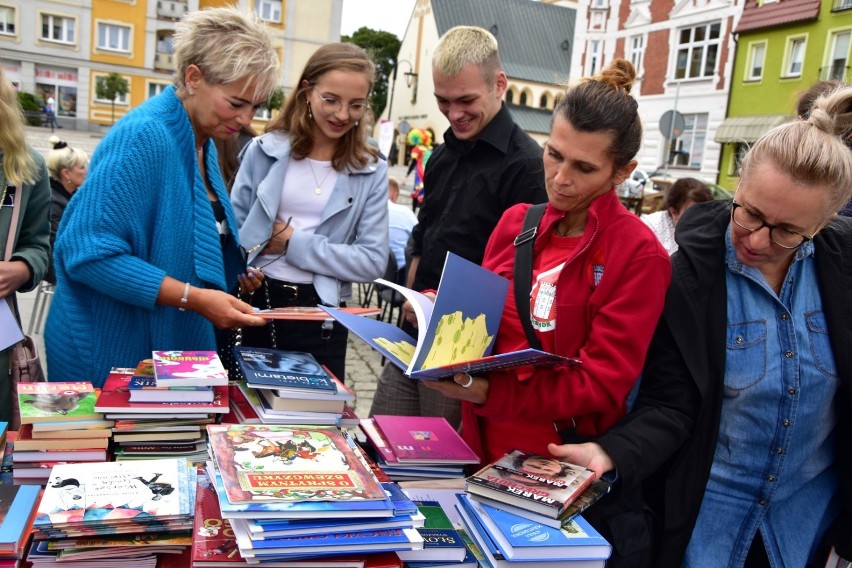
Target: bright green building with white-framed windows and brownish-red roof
[{"x": 783, "y": 47}]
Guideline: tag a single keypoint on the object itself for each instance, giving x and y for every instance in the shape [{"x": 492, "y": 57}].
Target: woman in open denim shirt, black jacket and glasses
[{"x": 745, "y": 409}]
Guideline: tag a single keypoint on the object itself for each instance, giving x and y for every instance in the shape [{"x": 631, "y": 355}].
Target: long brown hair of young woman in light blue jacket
[{"x": 295, "y": 118}]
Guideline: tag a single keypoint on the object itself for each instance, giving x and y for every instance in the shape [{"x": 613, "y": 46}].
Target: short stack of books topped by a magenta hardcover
[{"x": 417, "y": 447}]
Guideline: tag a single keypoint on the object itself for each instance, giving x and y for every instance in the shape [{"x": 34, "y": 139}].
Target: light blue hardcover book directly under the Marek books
[{"x": 521, "y": 539}]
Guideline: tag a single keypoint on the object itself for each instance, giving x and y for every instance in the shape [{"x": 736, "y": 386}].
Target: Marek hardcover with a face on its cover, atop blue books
[{"x": 541, "y": 484}]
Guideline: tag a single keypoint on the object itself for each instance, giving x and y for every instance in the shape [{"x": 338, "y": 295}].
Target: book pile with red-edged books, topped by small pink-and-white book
[{"x": 161, "y": 407}]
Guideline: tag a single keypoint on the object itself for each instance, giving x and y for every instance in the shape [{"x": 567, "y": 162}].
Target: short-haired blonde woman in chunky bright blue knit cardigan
[{"x": 147, "y": 250}]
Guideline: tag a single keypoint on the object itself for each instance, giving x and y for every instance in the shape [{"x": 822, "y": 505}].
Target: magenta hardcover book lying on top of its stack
[{"x": 424, "y": 440}]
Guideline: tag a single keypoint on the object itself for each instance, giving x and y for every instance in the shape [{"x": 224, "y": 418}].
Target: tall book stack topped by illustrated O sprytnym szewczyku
[{"x": 305, "y": 492}]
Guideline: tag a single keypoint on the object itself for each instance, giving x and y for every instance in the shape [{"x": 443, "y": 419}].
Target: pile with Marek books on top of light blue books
[{"x": 524, "y": 508}]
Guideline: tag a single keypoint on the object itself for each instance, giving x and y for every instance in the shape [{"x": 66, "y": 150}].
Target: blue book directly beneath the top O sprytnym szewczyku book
[{"x": 296, "y": 509}]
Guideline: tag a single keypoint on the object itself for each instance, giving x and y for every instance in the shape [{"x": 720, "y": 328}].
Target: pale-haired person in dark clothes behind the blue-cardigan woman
[{"x": 68, "y": 167}]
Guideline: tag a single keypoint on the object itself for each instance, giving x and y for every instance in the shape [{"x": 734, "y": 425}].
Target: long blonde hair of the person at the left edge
[{"x": 18, "y": 165}]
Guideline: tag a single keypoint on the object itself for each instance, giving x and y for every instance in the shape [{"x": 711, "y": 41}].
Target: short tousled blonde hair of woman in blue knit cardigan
[{"x": 228, "y": 45}]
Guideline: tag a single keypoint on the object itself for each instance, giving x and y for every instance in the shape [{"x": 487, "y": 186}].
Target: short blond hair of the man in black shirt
[{"x": 463, "y": 45}]
